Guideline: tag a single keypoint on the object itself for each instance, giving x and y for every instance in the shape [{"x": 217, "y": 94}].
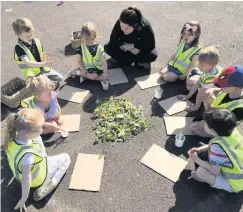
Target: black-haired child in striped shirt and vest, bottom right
[{"x": 224, "y": 169}]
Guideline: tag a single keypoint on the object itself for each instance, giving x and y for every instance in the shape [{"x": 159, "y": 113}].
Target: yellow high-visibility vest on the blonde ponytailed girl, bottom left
[{"x": 15, "y": 152}]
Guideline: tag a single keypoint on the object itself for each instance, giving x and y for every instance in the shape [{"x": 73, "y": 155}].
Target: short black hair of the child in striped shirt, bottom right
[{"x": 221, "y": 120}]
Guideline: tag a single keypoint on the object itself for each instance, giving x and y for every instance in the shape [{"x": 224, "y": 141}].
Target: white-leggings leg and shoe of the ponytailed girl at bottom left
[{"x": 57, "y": 166}]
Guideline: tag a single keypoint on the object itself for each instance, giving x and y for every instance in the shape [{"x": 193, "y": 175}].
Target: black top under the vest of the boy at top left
[{"x": 32, "y": 47}]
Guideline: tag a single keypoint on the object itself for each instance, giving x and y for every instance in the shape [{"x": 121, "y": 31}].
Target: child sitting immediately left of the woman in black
[{"x": 92, "y": 61}]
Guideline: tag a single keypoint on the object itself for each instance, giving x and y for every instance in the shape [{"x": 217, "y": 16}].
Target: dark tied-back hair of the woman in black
[{"x": 131, "y": 16}]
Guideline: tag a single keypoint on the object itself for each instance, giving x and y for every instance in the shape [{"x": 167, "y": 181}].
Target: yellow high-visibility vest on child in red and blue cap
[{"x": 238, "y": 103}]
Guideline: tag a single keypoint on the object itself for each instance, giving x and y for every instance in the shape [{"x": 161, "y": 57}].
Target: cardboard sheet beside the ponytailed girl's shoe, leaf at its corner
[{"x": 87, "y": 172}]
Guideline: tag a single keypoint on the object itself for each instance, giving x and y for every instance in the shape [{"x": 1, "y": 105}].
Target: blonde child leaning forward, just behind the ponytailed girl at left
[{"x": 44, "y": 99}]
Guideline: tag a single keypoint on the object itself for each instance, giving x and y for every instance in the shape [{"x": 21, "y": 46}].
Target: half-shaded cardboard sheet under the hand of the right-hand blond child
[{"x": 174, "y": 105}]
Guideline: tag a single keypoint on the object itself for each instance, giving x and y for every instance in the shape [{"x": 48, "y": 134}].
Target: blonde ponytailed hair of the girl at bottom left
[{"x": 27, "y": 119}]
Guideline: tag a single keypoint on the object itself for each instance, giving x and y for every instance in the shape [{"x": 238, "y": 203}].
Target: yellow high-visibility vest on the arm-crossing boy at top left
[{"x": 25, "y": 70}]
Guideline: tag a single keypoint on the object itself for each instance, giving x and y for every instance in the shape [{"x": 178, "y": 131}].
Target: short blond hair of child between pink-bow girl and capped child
[{"x": 209, "y": 55}]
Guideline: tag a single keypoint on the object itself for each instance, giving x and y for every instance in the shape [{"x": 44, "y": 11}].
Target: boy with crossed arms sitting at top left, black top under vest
[{"x": 29, "y": 52}]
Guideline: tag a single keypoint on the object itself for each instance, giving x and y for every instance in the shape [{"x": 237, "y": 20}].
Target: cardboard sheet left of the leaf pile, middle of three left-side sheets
[{"x": 71, "y": 123}]
